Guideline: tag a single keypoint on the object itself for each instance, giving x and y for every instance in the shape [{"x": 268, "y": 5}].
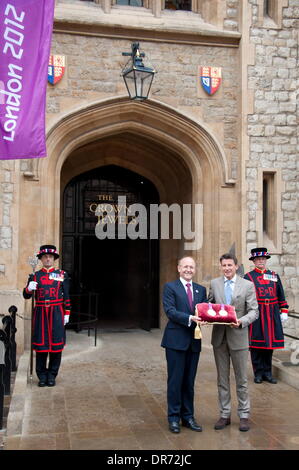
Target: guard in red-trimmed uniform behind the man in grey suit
[{"x": 266, "y": 333}]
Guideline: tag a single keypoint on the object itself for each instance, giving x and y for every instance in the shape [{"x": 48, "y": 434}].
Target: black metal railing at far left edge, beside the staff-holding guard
[{"x": 8, "y": 355}]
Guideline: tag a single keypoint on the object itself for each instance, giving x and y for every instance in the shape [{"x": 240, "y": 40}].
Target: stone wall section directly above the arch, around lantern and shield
[{"x": 94, "y": 72}]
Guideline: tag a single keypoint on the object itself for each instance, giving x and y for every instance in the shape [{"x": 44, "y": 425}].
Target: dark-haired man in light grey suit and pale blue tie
[{"x": 231, "y": 341}]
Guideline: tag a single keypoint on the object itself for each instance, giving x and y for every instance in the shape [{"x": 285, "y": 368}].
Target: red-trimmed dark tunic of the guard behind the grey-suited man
[{"x": 266, "y": 332}]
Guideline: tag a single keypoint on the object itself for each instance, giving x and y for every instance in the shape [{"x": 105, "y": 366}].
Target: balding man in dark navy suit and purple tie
[{"x": 182, "y": 349}]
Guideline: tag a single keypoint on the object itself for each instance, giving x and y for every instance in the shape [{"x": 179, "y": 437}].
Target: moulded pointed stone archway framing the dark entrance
[{"x": 181, "y": 158}]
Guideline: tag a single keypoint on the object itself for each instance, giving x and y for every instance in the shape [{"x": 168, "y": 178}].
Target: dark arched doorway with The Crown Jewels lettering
[{"x": 123, "y": 272}]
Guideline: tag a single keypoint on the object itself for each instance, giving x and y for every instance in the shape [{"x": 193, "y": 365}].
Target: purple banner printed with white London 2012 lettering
[{"x": 25, "y": 40}]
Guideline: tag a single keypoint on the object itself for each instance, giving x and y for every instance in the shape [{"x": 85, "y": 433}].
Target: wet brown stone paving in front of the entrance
[{"x": 113, "y": 397}]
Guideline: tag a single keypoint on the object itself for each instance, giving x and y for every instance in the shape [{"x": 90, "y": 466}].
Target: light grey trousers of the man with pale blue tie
[{"x": 239, "y": 358}]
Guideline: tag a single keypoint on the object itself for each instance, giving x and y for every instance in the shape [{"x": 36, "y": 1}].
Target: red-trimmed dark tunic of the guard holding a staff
[{"x": 52, "y": 302}]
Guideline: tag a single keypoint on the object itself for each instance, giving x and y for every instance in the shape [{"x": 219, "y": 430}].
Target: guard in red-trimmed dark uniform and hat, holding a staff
[{"x": 51, "y": 313}]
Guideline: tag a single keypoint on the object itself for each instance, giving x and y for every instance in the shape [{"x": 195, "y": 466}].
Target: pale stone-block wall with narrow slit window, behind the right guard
[{"x": 273, "y": 133}]
